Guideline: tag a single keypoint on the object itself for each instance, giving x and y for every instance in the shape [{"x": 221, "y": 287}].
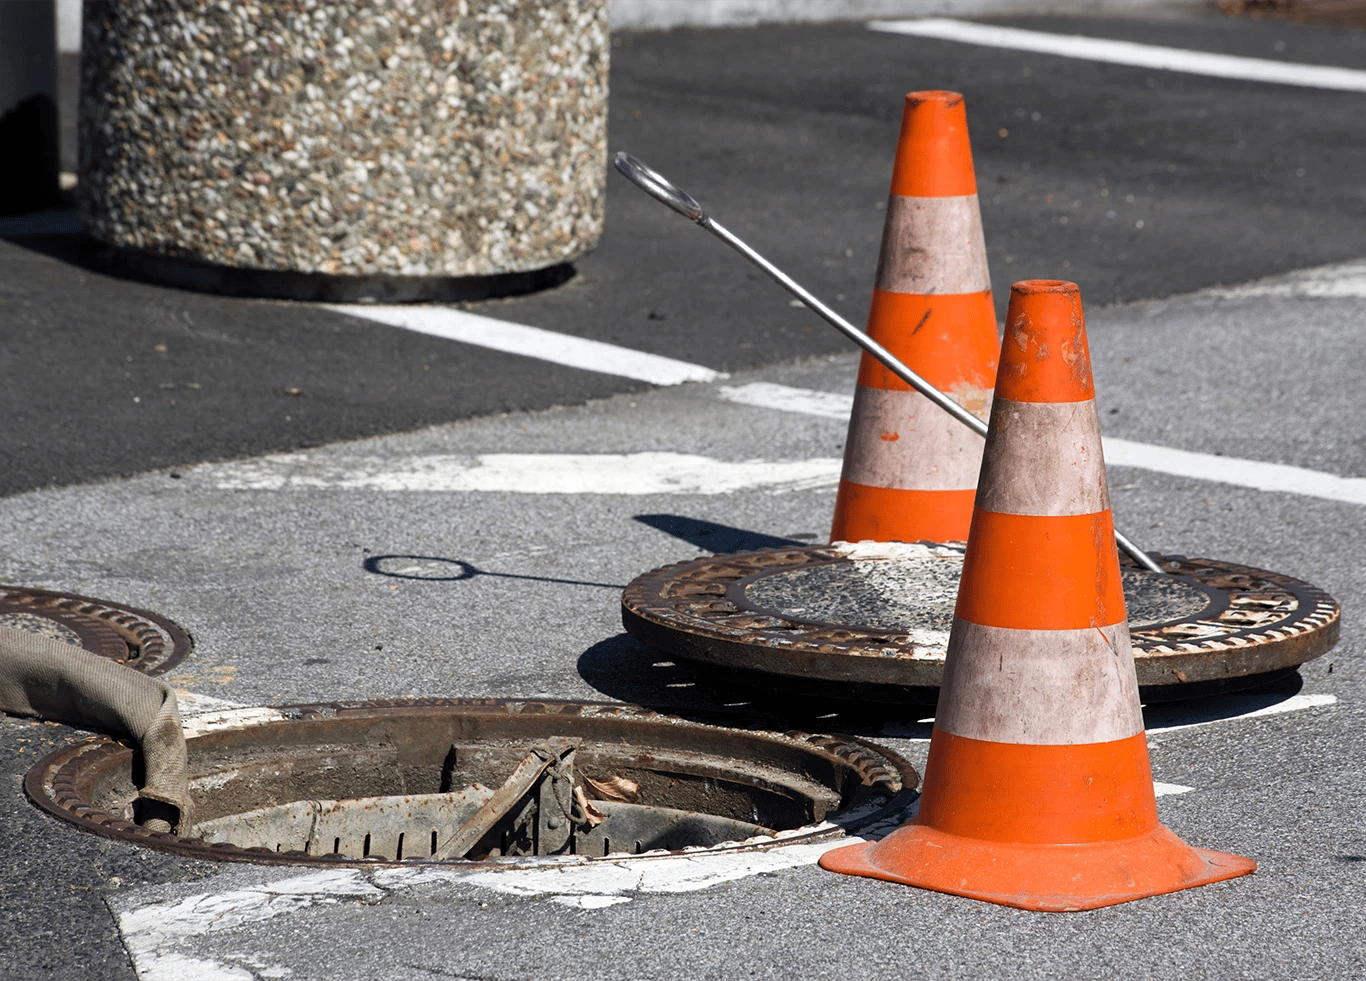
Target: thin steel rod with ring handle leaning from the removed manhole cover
[{"x": 662, "y": 189}]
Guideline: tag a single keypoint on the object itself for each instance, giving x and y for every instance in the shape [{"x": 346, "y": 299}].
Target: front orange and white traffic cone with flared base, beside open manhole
[{"x": 1037, "y": 790}]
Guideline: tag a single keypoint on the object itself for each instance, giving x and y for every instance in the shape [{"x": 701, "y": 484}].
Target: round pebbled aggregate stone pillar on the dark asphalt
[{"x": 389, "y": 150}]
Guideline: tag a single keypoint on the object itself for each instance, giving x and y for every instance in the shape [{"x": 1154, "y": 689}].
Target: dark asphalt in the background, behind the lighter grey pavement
[{"x": 787, "y": 135}]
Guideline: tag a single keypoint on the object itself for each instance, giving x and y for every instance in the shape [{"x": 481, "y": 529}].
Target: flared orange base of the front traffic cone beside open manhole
[{"x": 1050, "y": 878}]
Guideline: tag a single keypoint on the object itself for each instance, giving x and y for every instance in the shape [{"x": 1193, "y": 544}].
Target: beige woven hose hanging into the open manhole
[{"x": 53, "y": 680}]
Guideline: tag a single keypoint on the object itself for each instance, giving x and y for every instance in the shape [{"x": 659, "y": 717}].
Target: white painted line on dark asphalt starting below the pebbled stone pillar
[{"x": 532, "y": 342}]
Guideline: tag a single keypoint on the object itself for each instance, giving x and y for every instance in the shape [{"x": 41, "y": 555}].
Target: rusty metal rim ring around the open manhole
[{"x": 51, "y": 784}]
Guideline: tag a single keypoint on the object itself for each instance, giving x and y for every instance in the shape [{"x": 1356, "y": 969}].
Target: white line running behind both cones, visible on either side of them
[{"x": 1257, "y": 475}]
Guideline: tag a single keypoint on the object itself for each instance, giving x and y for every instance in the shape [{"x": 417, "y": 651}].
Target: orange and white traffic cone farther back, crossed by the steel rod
[{"x": 910, "y": 471}]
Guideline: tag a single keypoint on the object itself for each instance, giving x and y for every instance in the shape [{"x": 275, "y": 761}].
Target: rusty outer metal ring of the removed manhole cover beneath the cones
[{"x": 1252, "y": 625}]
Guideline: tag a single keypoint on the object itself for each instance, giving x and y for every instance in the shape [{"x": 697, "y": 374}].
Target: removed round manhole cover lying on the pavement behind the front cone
[{"x": 875, "y": 620}]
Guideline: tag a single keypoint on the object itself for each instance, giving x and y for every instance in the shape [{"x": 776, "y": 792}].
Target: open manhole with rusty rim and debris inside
[{"x": 461, "y": 781}]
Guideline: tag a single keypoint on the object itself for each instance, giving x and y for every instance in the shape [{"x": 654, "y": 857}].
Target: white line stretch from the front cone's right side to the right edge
[{"x": 1272, "y": 478}]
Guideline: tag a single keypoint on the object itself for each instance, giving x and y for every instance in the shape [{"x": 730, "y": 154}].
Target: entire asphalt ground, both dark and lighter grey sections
[{"x": 786, "y": 135}]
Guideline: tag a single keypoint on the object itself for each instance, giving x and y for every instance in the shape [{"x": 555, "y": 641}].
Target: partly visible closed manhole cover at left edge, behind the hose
[{"x": 133, "y": 637}]
